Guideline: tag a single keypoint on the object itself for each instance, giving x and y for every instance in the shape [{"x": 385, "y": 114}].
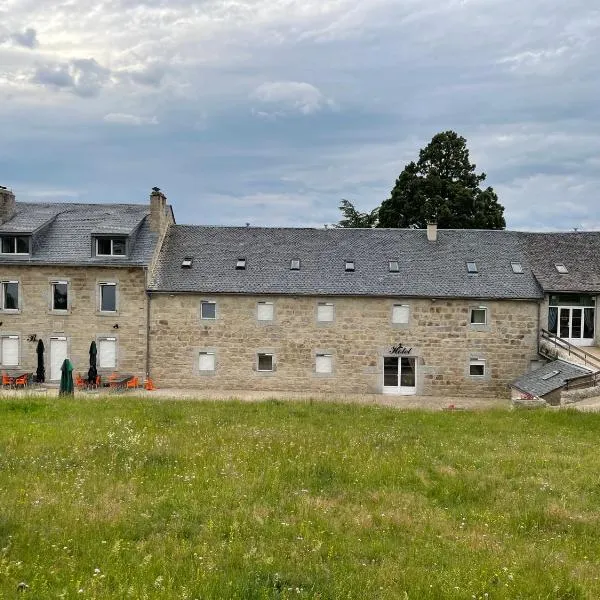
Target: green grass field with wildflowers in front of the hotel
[{"x": 126, "y": 498}]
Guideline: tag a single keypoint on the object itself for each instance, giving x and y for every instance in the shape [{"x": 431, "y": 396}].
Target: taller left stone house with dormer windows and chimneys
[{"x": 71, "y": 274}]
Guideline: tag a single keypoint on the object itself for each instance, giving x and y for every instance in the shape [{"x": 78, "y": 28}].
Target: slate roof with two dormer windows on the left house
[{"x": 65, "y": 230}]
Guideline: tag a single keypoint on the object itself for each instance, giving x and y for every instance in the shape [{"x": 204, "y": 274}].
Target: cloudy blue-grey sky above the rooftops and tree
[{"x": 269, "y": 112}]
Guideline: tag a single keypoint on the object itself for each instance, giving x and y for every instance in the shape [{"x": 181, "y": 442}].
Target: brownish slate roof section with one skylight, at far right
[{"x": 578, "y": 251}]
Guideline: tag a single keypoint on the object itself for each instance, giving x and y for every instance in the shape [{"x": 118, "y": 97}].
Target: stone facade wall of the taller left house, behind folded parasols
[{"x": 83, "y": 321}]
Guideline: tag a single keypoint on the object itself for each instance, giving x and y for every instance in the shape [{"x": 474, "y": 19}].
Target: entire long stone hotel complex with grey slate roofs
[{"x": 273, "y": 309}]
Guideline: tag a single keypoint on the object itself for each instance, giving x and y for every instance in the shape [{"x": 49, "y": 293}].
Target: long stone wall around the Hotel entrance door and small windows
[{"x": 439, "y": 335}]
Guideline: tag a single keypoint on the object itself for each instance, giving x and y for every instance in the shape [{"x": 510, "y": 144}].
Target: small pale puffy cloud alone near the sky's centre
[{"x": 290, "y": 97}]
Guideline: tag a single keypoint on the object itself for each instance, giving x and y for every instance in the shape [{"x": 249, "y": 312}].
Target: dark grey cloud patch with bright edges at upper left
[{"x": 83, "y": 77}]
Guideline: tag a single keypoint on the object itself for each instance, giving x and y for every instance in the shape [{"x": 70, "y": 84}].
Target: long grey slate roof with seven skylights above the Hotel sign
[{"x": 427, "y": 269}]
